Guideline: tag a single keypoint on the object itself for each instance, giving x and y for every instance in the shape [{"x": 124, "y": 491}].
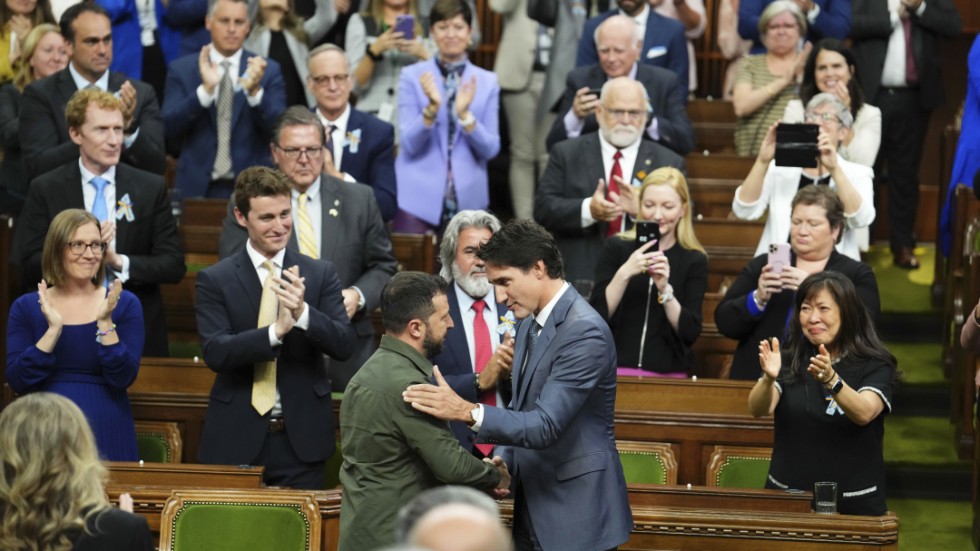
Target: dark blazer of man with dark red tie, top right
[{"x": 871, "y": 29}]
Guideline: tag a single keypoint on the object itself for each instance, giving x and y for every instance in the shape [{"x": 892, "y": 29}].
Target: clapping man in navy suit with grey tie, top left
[{"x": 220, "y": 106}]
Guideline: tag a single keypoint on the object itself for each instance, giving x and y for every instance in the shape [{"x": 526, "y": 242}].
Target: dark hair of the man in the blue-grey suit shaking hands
[{"x": 521, "y": 244}]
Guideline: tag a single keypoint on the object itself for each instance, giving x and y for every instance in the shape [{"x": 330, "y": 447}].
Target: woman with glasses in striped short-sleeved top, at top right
[{"x": 766, "y": 82}]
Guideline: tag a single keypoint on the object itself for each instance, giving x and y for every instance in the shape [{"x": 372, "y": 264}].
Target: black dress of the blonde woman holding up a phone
[{"x": 664, "y": 350}]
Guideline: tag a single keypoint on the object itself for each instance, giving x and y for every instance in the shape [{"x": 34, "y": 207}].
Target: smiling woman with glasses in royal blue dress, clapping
[{"x": 76, "y": 338}]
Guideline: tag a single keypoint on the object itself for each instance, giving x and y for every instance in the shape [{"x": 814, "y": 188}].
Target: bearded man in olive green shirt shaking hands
[{"x": 393, "y": 452}]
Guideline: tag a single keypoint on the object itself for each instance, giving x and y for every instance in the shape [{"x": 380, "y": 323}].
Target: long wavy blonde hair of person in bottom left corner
[{"x": 51, "y": 480}]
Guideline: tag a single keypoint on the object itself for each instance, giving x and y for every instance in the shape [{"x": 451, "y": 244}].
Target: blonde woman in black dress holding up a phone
[{"x": 654, "y": 333}]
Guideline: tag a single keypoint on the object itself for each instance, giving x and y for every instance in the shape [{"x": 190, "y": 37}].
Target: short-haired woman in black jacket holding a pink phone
[{"x": 757, "y": 304}]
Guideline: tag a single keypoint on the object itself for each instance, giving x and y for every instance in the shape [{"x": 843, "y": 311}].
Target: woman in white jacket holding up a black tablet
[{"x": 770, "y": 188}]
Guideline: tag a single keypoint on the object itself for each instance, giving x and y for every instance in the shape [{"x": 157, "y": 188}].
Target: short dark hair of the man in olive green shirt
[{"x": 408, "y": 296}]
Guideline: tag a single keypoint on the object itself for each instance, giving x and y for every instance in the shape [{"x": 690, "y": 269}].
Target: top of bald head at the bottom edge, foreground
[{"x": 460, "y": 527}]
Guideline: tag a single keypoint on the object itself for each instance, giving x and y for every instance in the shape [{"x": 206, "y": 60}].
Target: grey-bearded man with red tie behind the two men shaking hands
[{"x": 479, "y": 350}]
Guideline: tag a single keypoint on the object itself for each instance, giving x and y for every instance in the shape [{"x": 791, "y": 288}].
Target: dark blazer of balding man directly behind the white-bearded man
[{"x": 667, "y": 95}]
